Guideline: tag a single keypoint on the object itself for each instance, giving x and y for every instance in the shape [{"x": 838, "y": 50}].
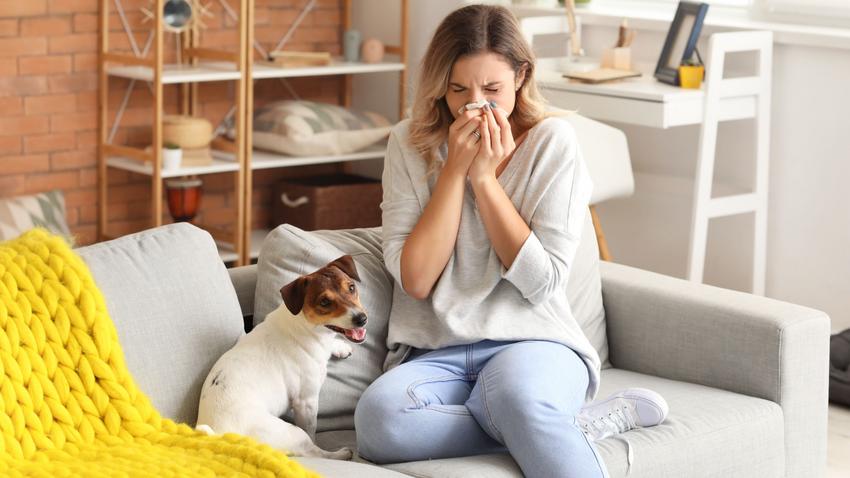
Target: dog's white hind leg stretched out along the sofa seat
[{"x": 290, "y": 439}]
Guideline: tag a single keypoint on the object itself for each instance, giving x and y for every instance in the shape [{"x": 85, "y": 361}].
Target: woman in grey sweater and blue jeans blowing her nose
[{"x": 472, "y": 197}]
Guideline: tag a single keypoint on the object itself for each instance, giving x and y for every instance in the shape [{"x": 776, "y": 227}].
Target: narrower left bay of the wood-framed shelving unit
[{"x": 202, "y": 65}]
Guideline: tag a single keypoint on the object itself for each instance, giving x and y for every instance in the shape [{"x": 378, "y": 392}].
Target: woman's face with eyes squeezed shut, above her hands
[{"x": 485, "y": 76}]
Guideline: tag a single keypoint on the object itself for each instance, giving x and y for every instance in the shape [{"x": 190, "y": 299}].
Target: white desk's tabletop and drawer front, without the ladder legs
[{"x": 641, "y": 101}]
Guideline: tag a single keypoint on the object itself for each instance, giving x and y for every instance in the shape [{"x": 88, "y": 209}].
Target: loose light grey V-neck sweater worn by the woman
[{"x": 476, "y": 298}]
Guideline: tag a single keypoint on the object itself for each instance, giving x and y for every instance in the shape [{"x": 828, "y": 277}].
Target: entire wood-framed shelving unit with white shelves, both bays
[{"x": 238, "y": 157}]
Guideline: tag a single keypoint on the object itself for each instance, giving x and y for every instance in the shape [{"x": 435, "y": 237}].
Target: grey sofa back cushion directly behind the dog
[{"x": 289, "y": 252}]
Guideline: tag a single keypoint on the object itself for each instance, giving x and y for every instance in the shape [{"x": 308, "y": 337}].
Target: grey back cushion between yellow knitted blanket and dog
[{"x": 174, "y": 307}]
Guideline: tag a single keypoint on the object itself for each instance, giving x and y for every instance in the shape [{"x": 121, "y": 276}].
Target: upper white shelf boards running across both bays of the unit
[{"x": 224, "y": 71}]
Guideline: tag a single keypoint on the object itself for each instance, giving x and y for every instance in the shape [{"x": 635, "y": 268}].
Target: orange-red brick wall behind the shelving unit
[{"x": 48, "y": 103}]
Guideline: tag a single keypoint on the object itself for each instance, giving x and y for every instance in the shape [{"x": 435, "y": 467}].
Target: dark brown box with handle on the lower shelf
[{"x": 337, "y": 201}]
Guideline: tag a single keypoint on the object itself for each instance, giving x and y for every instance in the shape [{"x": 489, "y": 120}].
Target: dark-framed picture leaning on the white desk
[{"x": 681, "y": 40}]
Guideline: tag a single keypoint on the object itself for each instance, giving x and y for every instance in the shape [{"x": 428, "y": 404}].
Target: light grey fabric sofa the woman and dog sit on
[{"x": 745, "y": 376}]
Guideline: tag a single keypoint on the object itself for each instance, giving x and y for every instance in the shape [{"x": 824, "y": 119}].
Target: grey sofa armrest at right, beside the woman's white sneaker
[{"x": 740, "y": 342}]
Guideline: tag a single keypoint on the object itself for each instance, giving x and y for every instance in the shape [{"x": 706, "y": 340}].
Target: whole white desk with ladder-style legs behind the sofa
[{"x": 647, "y": 102}]
